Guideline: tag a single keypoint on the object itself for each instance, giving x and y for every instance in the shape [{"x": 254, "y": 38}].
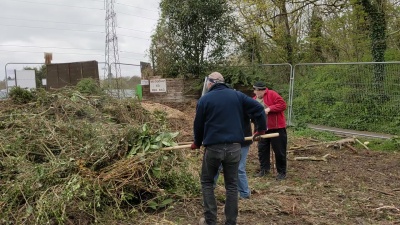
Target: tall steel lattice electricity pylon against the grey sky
[{"x": 111, "y": 49}]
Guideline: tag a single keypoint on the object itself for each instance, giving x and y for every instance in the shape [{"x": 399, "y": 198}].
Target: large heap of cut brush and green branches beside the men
[{"x": 77, "y": 156}]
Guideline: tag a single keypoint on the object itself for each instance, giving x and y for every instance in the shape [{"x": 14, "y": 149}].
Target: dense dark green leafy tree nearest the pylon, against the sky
[{"x": 189, "y": 35}]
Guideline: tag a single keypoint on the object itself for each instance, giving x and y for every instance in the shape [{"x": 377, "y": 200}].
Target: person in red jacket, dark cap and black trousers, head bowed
[{"x": 274, "y": 106}]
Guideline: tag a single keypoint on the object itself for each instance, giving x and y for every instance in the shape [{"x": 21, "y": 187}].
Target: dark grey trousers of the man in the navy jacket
[{"x": 229, "y": 156}]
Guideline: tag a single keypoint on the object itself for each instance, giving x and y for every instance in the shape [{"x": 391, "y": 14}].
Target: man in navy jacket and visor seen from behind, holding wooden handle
[{"x": 218, "y": 126}]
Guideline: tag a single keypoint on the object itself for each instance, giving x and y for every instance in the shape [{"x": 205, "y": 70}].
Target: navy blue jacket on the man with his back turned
[{"x": 220, "y": 116}]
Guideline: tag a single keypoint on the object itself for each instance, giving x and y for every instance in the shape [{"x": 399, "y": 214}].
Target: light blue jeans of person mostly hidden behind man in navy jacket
[{"x": 243, "y": 185}]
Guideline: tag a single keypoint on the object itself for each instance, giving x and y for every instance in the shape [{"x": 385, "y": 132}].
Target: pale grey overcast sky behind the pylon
[{"x": 73, "y": 30}]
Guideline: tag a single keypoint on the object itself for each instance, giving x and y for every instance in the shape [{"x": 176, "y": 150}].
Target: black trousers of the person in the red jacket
[{"x": 279, "y": 145}]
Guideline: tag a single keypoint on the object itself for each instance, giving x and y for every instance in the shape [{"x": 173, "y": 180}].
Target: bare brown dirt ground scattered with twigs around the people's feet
[{"x": 351, "y": 187}]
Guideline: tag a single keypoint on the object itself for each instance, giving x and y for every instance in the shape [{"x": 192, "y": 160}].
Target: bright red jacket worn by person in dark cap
[{"x": 277, "y": 106}]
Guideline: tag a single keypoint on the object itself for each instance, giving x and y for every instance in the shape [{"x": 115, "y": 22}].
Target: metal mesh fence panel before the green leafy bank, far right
[{"x": 358, "y": 96}]
